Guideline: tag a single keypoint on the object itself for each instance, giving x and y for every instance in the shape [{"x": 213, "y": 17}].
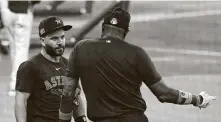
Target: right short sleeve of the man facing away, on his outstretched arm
[{"x": 146, "y": 69}]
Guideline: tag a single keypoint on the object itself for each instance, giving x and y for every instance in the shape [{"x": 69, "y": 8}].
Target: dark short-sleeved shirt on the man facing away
[{"x": 111, "y": 73}]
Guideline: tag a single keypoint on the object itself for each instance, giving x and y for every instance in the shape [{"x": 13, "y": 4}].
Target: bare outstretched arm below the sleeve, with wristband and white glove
[{"x": 170, "y": 95}]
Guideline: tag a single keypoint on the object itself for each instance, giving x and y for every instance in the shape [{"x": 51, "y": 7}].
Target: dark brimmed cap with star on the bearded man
[{"x": 51, "y": 24}]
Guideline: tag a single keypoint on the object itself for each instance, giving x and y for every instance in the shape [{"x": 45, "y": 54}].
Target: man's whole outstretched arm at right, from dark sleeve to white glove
[{"x": 154, "y": 81}]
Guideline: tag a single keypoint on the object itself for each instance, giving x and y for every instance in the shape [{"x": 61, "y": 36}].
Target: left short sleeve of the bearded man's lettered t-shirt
[{"x": 25, "y": 77}]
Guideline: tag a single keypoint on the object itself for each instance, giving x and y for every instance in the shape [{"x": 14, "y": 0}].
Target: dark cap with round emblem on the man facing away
[{"x": 118, "y": 17}]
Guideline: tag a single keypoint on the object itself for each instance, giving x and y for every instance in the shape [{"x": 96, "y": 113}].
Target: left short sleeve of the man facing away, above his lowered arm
[{"x": 72, "y": 67}]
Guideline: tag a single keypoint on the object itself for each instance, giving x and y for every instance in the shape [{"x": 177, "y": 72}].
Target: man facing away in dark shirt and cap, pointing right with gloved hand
[{"x": 112, "y": 71}]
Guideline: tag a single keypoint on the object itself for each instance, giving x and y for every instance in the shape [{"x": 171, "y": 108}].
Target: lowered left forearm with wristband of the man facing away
[{"x": 65, "y": 111}]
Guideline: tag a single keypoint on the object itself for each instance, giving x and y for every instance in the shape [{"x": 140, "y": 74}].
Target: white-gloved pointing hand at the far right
[{"x": 206, "y": 100}]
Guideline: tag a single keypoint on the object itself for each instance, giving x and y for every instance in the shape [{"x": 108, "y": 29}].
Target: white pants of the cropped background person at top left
[{"x": 19, "y": 26}]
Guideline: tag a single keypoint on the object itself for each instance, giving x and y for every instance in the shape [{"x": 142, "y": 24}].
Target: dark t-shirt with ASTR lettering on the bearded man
[{"x": 43, "y": 79}]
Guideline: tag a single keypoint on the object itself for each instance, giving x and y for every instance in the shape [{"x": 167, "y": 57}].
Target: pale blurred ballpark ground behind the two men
[{"x": 182, "y": 38}]
